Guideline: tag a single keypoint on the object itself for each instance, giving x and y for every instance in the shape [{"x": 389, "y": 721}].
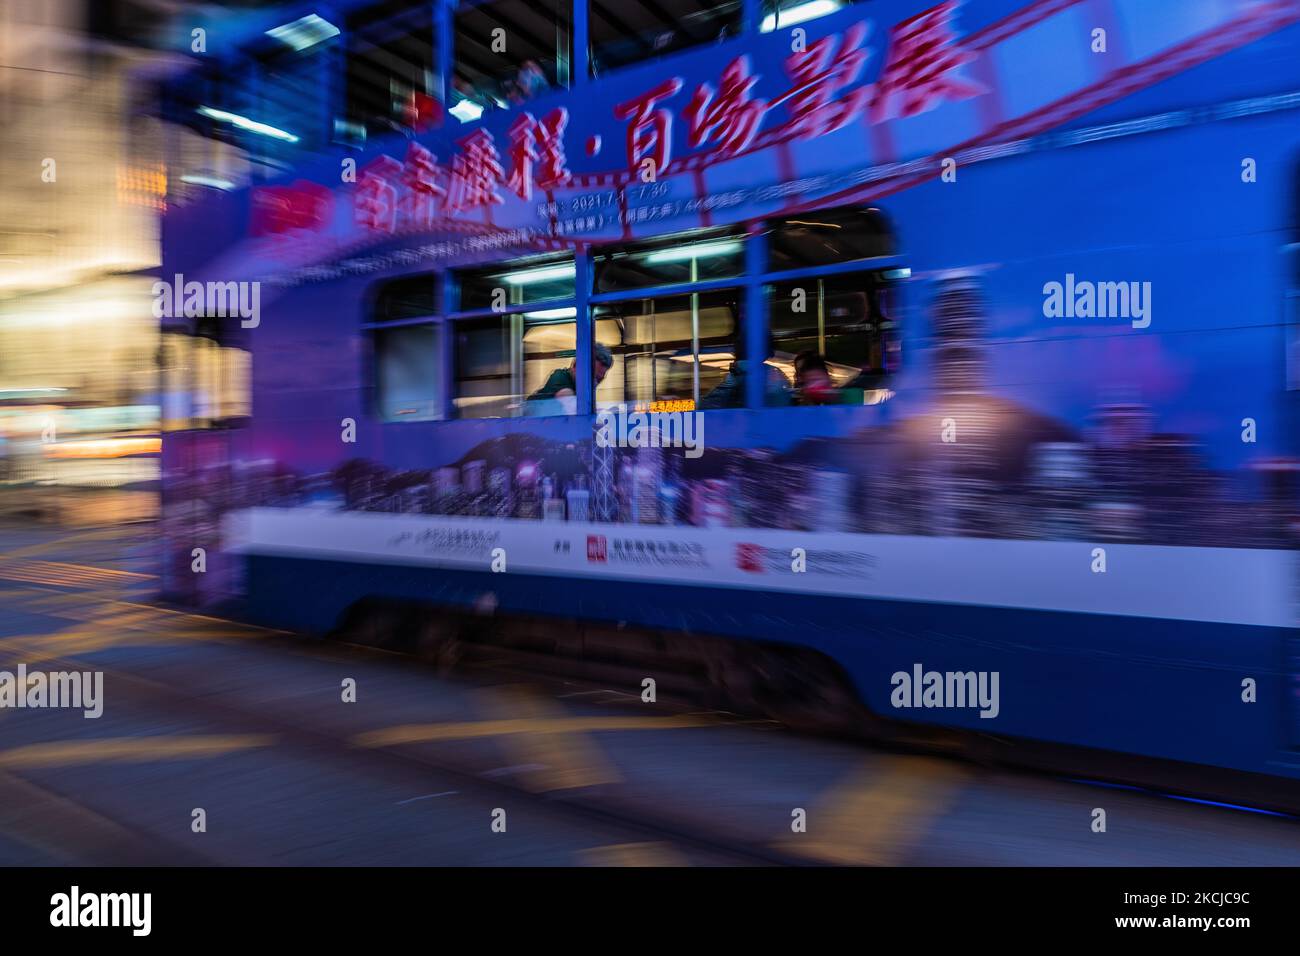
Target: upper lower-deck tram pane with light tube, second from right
[{"x": 700, "y": 258}]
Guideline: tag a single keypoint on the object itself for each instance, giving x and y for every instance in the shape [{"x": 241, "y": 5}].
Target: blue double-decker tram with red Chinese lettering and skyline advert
[{"x": 925, "y": 365}]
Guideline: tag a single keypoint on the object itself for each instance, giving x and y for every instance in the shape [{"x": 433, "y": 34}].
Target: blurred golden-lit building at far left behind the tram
[{"x": 79, "y": 230}]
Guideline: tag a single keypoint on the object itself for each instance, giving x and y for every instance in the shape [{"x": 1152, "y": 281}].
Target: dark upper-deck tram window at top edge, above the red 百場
[{"x": 629, "y": 33}]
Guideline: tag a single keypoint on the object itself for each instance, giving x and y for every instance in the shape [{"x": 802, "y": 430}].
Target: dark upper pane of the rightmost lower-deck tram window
[{"x": 829, "y": 239}]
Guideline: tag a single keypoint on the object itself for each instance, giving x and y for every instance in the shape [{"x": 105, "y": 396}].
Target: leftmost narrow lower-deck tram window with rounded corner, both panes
[{"x": 401, "y": 314}]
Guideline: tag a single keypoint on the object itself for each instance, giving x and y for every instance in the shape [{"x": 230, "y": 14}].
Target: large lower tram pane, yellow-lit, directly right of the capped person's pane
[{"x": 660, "y": 345}]
